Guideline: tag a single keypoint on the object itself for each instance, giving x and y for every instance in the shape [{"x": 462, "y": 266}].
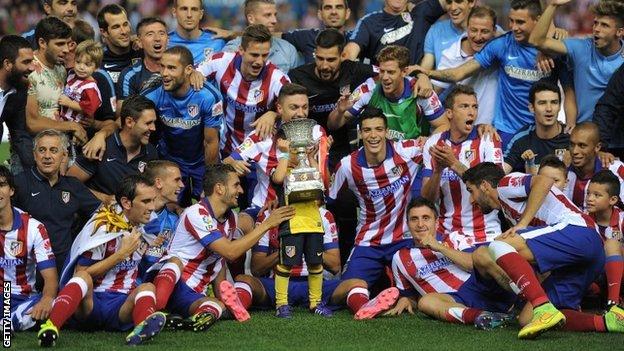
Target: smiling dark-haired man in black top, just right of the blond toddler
[{"x": 116, "y": 33}]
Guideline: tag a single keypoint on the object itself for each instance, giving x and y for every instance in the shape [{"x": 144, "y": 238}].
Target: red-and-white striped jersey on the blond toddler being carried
[{"x": 84, "y": 92}]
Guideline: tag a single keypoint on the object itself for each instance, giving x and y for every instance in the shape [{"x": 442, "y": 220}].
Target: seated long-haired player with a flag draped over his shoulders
[{"x": 103, "y": 292}]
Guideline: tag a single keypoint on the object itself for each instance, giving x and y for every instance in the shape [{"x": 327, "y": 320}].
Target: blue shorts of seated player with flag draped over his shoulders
[{"x": 105, "y": 313}]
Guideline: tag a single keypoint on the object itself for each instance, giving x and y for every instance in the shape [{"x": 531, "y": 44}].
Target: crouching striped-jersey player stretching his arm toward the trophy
[{"x": 201, "y": 247}]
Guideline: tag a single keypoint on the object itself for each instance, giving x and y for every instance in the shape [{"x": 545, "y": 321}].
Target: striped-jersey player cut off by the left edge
[{"x": 26, "y": 249}]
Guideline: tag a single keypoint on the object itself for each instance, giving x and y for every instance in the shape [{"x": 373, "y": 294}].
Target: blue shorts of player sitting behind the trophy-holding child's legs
[{"x": 298, "y": 290}]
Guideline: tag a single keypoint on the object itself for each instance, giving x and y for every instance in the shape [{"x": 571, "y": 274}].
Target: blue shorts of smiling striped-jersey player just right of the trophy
[{"x": 368, "y": 262}]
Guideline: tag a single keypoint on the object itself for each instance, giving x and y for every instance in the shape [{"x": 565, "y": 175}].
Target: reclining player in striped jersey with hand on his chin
[{"x": 443, "y": 277}]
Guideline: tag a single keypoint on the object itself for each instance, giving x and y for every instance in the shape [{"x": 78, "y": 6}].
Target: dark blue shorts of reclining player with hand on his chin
[{"x": 484, "y": 294}]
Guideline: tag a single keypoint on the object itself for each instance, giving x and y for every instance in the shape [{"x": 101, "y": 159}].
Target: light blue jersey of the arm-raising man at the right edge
[{"x": 592, "y": 71}]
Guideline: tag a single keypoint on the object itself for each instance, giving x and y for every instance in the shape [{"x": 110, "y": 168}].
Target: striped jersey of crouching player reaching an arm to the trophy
[{"x": 196, "y": 230}]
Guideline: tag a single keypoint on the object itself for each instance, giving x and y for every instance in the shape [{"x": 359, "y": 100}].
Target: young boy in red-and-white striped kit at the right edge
[{"x": 602, "y": 204}]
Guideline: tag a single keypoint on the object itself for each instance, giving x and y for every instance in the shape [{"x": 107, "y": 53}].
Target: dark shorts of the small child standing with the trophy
[{"x": 294, "y": 246}]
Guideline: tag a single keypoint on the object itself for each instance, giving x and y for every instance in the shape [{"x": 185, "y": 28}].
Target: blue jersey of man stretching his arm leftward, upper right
[{"x": 516, "y": 74}]
